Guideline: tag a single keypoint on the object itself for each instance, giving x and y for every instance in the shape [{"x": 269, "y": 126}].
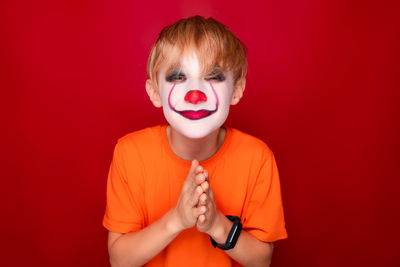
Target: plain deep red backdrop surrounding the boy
[{"x": 322, "y": 91}]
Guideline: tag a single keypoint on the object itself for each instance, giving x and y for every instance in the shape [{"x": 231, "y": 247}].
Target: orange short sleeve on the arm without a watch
[{"x": 124, "y": 197}]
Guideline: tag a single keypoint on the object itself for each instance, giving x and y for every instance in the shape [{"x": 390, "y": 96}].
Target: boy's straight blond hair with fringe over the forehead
[{"x": 214, "y": 44}]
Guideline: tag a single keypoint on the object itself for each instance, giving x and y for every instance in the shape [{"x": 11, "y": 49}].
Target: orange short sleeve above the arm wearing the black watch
[{"x": 263, "y": 213}]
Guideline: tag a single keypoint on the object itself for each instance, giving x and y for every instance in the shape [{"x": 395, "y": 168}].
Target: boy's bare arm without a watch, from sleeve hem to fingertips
[{"x": 137, "y": 248}]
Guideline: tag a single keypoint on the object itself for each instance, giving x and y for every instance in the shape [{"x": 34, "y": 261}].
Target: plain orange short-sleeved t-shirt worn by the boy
[{"x": 145, "y": 181}]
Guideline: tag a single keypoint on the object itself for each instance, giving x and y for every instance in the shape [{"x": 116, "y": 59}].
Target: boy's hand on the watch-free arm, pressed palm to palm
[{"x": 187, "y": 210}]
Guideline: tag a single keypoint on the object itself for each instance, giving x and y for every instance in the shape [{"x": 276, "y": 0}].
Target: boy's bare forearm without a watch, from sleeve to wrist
[{"x": 137, "y": 248}]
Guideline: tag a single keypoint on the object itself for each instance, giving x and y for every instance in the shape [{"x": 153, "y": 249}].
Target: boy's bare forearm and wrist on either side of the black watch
[{"x": 248, "y": 251}]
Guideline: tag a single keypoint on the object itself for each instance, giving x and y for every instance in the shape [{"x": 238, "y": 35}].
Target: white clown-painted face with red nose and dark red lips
[{"x": 195, "y": 105}]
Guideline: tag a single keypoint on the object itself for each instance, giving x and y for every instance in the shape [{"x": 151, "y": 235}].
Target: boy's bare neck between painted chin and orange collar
[{"x": 199, "y": 149}]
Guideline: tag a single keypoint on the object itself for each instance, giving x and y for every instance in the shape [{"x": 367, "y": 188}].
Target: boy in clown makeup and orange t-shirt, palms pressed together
[{"x": 193, "y": 192}]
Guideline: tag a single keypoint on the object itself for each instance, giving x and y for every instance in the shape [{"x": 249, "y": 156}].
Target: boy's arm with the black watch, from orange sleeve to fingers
[{"x": 266, "y": 206}]
